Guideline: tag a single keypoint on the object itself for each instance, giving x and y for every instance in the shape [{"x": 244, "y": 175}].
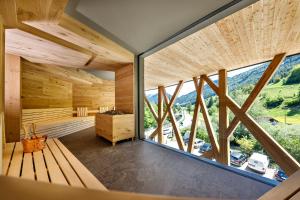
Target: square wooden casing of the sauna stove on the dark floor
[{"x": 115, "y": 127}]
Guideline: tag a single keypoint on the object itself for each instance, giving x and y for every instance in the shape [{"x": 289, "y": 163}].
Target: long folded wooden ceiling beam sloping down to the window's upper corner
[{"x": 108, "y": 55}]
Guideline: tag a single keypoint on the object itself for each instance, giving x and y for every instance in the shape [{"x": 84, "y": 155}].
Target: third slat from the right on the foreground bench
[{"x": 55, "y": 173}]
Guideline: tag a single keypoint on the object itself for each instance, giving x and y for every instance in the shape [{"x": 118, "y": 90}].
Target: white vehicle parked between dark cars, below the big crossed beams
[{"x": 258, "y": 162}]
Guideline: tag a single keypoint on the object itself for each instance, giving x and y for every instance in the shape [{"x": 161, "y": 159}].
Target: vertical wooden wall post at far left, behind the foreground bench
[{"x": 12, "y": 97}]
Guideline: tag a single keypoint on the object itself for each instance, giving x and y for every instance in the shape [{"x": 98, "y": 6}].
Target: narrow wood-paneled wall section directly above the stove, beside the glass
[{"x": 125, "y": 89}]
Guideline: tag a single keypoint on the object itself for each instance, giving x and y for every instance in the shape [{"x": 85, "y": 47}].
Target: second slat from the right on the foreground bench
[{"x": 69, "y": 173}]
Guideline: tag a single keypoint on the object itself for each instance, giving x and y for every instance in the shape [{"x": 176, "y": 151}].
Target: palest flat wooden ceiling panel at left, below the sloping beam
[{"x": 39, "y": 50}]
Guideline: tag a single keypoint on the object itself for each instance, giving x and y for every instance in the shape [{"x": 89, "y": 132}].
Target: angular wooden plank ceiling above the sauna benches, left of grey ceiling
[{"x": 39, "y": 31}]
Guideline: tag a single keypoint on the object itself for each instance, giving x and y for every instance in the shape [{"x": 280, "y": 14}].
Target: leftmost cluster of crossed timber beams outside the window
[{"x": 161, "y": 117}]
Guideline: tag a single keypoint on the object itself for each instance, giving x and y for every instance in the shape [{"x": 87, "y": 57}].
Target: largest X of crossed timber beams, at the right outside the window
[{"x": 279, "y": 154}]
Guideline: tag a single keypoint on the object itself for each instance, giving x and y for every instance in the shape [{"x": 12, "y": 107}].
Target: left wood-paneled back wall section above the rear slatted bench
[{"x": 43, "y": 90}]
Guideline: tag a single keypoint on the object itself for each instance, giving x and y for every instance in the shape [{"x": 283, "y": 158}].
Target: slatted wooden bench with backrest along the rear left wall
[{"x": 55, "y": 122}]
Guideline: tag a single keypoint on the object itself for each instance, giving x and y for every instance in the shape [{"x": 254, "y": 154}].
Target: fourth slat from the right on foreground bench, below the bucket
[{"x": 40, "y": 167}]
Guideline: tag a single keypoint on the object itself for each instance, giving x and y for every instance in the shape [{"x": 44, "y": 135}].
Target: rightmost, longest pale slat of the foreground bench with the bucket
[{"x": 85, "y": 175}]
